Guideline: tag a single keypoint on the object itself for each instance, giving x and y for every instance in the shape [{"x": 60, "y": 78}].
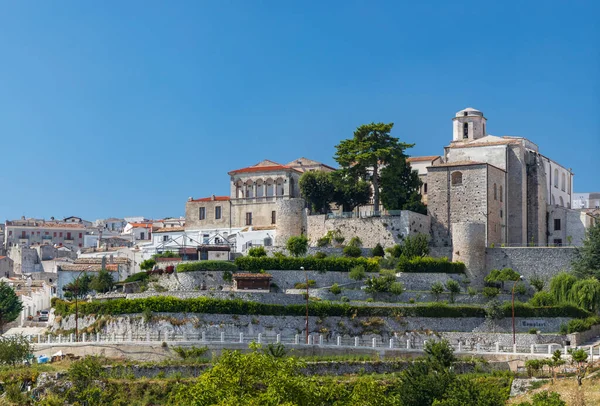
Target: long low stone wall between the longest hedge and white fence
[{"x": 330, "y": 327}]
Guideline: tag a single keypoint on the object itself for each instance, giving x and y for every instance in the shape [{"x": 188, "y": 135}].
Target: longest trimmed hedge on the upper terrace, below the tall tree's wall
[{"x": 332, "y": 264}]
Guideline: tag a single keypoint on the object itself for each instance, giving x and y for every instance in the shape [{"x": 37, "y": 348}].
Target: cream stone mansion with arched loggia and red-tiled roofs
[{"x": 263, "y": 204}]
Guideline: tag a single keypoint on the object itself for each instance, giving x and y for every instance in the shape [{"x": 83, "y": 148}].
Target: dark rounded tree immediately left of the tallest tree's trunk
[{"x": 350, "y": 191}]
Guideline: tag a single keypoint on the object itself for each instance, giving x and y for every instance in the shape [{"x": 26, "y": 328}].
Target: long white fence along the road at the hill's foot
[{"x": 235, "y": 339}]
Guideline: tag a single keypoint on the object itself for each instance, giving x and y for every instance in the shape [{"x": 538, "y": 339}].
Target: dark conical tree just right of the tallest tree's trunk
[{"x": 400, "y": 185}]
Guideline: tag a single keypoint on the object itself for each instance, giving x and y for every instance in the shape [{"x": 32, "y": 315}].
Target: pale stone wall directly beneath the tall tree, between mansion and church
[{"x": 387, "y": 230}]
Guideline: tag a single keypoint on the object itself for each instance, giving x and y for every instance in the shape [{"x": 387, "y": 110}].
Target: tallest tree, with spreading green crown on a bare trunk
[{"x": 371, "y": 147}]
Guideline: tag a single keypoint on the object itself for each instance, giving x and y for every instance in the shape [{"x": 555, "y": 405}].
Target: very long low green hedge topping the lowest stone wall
[{"x": 167, "y": 304}]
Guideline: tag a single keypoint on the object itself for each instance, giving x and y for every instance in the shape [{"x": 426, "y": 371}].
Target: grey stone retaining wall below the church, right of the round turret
[{"x": 529, "y": 261}]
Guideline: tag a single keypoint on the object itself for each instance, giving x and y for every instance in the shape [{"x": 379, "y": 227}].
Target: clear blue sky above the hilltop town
[{"x": 128, "y": 108}]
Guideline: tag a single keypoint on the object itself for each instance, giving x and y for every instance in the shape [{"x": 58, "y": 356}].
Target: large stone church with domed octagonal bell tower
[{"x": 503, "y": 182}]
